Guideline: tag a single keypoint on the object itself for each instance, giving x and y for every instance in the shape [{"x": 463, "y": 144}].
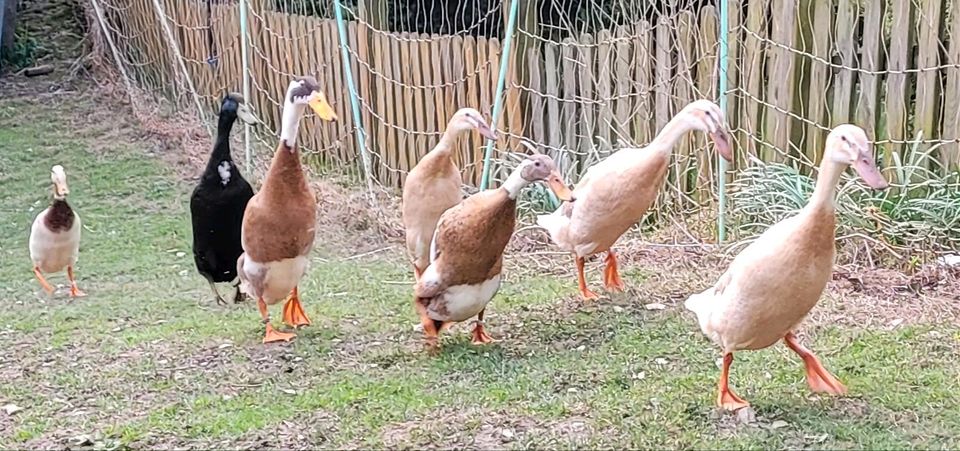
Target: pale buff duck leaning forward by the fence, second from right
[{"x": 616, "y": 192}]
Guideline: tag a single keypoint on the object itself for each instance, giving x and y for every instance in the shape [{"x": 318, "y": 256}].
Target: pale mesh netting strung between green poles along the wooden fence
[{"x": 583, "y": 78}]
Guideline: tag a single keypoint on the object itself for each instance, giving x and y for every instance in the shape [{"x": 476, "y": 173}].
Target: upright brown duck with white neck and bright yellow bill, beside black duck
[{"x": 279, "y": 225}]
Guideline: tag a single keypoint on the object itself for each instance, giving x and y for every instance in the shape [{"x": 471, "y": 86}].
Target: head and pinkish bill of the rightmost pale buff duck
[{"x": 848, "y": 145}]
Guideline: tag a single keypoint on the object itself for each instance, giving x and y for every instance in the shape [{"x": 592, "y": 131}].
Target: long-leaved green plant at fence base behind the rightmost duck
[{"x": 920, "y": 211}]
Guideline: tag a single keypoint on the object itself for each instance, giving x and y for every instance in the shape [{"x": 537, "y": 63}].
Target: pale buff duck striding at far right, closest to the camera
[{"x": 772, "y": 284}]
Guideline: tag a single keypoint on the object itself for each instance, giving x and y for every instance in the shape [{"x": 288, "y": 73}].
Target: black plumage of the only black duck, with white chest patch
[{"x": 217, "y": 205}]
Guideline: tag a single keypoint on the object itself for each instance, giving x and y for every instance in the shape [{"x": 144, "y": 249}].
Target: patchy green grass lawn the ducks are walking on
[{"x": 147, "y": 360}]
